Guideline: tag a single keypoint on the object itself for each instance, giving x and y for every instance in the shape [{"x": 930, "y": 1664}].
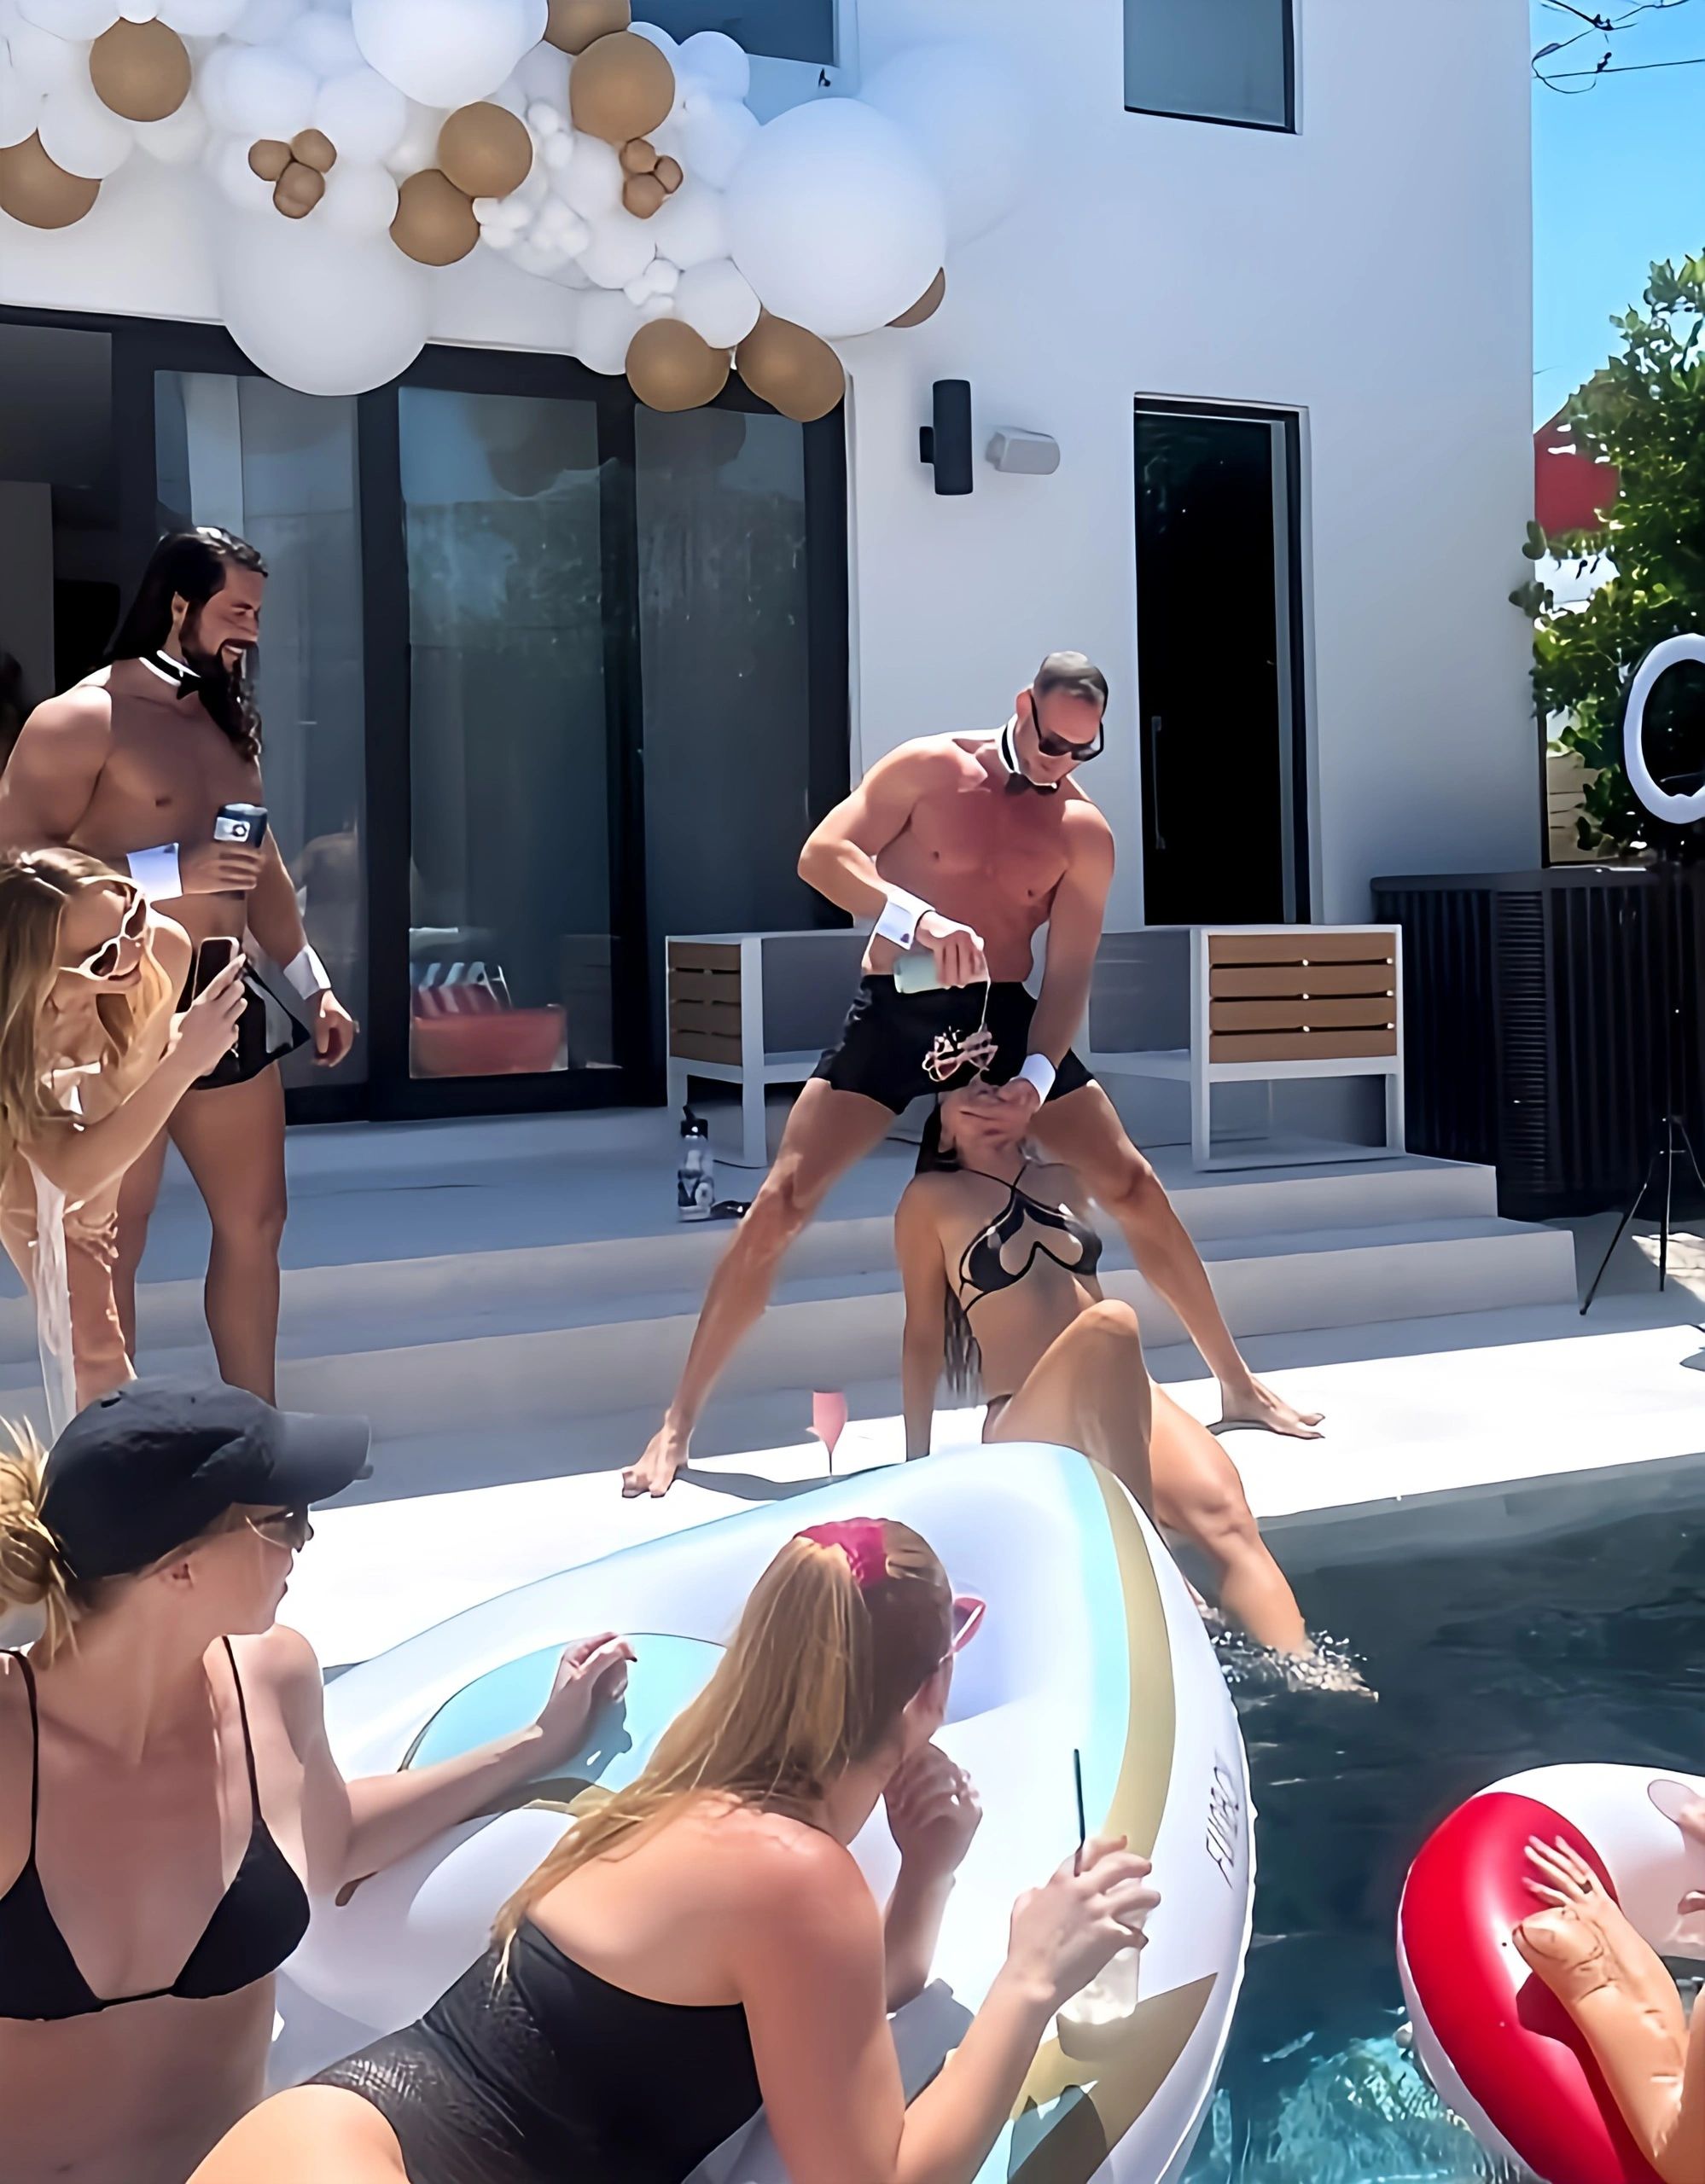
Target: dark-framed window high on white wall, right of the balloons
[{"x": 1212, "y": 60}]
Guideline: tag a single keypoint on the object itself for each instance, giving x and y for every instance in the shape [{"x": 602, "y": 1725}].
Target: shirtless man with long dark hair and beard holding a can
[{"x": 132, "y": 765}]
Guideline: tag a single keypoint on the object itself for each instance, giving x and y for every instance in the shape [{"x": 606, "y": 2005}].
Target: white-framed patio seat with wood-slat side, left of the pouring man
[{"x": 755, "y": 1010}]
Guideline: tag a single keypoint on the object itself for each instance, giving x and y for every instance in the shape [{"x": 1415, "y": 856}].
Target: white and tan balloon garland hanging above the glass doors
[{"x": 362, "y": 145}]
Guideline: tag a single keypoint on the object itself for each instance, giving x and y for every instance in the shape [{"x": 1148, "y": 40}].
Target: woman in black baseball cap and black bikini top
[{"x": 167, "y": 1792}]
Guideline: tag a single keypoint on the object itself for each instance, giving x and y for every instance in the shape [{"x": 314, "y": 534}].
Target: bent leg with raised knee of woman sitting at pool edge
[{"x": 1092, "y": 1392}]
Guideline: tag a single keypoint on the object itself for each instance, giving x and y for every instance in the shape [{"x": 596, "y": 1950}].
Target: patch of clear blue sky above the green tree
[{"x": 1619, "y": 178}]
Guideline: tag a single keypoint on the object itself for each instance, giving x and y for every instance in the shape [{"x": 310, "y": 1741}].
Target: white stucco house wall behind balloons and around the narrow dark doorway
[{"x": 1372, "y": 272}]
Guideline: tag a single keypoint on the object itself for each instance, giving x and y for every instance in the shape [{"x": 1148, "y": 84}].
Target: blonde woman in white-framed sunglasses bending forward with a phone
[{"x": 93, "y": 1063}]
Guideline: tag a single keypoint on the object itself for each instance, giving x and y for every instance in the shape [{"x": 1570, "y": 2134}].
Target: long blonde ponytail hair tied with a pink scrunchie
[{"x": 814, "y": 1683}]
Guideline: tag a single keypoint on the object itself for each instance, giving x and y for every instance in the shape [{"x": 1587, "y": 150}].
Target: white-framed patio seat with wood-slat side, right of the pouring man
[{"x": 1278, "y": 1004}]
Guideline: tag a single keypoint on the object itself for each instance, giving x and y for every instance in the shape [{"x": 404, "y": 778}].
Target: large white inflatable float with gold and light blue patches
[{"x": 1092, "y": 1643}]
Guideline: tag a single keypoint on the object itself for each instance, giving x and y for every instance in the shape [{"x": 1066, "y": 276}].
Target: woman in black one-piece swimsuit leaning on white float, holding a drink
[{"x": 705, "y": 1943}]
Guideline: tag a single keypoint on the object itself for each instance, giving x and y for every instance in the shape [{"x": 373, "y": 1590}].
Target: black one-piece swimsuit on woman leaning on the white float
[{"x": 545, "y": 2074}]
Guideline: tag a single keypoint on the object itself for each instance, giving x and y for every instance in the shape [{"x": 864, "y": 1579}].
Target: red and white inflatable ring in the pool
[{"x": 1496, "y": 2043}]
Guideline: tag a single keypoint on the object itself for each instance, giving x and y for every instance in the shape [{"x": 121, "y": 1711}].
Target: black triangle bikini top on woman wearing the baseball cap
[{"x": 255, "y": 1925}]
